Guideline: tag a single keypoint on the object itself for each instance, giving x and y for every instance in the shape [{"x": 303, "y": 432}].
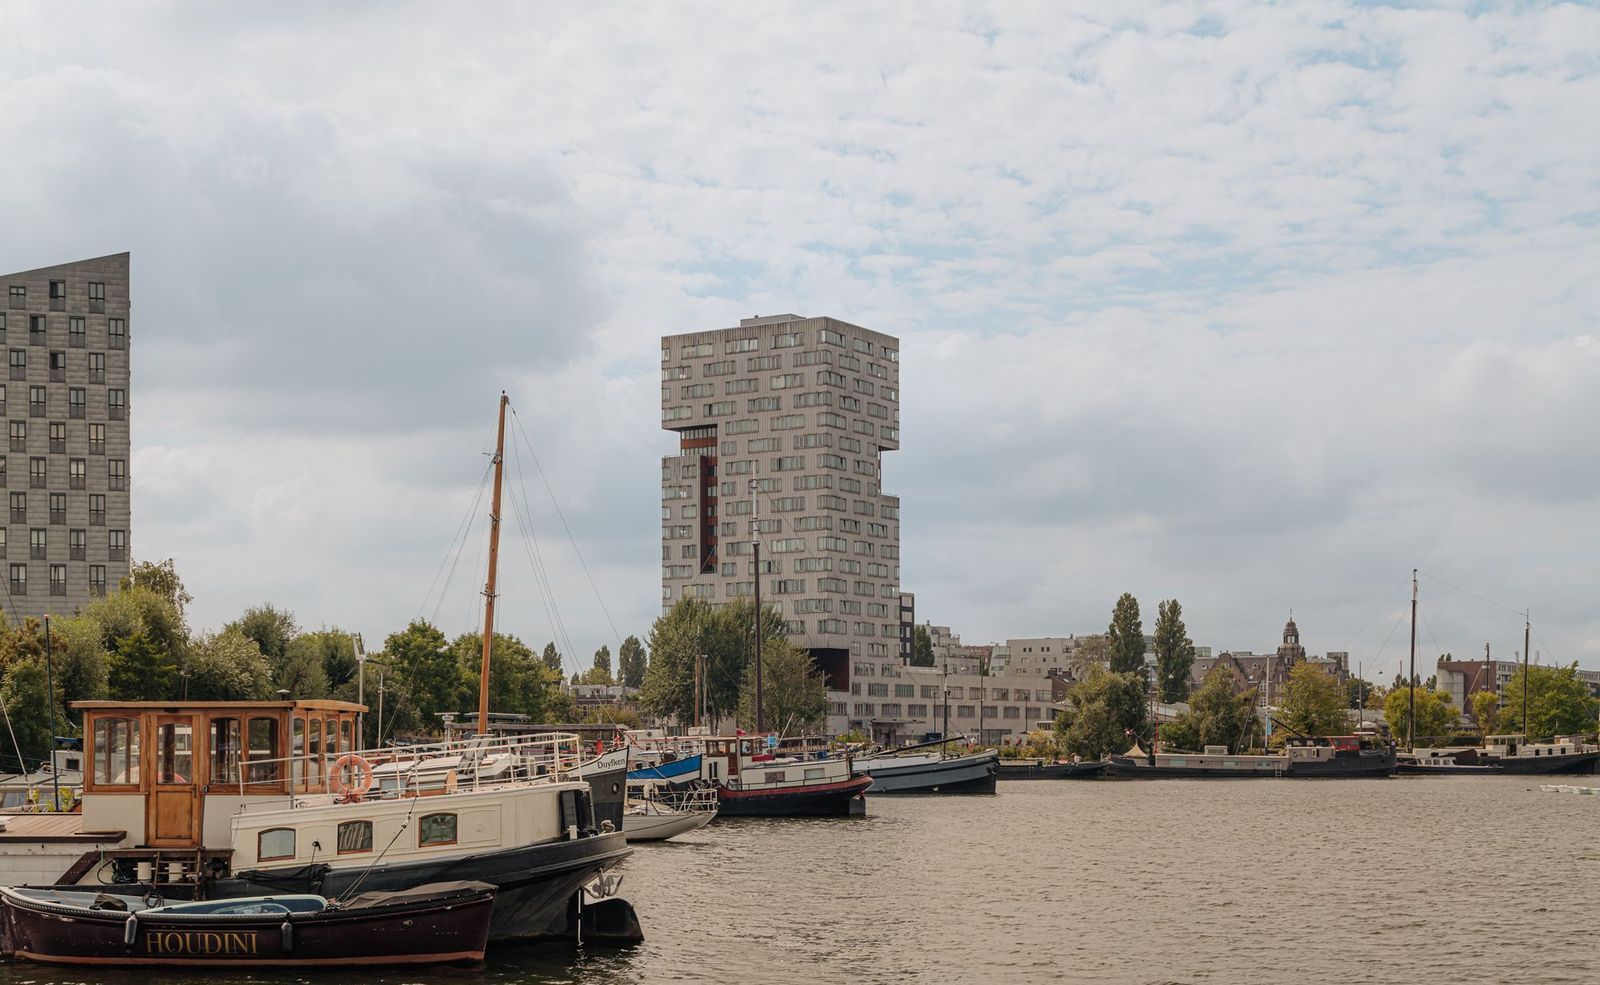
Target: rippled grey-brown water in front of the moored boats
[{"x": 1417, "y": 880}]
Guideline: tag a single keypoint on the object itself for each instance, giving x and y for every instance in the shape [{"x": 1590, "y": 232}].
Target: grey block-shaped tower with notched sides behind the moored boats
[{"x": 790, "y": 417}]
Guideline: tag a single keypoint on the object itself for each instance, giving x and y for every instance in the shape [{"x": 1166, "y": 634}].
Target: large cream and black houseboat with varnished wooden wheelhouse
[{"x": 222, "y": 800}]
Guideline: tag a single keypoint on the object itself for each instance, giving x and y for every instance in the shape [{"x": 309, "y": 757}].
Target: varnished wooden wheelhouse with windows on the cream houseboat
[{"x": 172, "y": 775}]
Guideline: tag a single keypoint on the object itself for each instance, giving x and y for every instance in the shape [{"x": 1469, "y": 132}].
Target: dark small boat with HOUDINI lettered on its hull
[{"x": 431, "y": 925}]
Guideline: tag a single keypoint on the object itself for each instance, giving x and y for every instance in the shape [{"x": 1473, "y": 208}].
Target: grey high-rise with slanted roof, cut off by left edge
[{"x": 66, "y": 407}]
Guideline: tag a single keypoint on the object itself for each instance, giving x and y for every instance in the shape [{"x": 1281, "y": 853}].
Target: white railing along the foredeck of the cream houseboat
[{"x": 452, "y": 767}]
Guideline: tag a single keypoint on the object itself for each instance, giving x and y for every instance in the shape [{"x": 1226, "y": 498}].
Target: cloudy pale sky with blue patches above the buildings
[{"x": 1257, "y": 308}]
